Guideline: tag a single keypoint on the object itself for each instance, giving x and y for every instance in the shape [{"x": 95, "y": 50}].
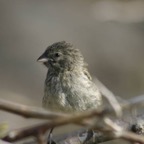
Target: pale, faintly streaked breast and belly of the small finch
[{"x": 70, "y": 93}]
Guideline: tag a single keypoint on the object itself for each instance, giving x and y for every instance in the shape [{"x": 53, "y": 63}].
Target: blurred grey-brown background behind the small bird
[{"x": 110, "y": 34}]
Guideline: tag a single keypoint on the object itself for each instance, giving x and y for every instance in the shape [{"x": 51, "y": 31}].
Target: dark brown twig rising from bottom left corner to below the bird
[{"x": 32, "y": 131}]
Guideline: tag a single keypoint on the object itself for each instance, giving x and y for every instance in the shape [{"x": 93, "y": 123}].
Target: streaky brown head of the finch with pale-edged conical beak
[{"x": 61, "y": 56}]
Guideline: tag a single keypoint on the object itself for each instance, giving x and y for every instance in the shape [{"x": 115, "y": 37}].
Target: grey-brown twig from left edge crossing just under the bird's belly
[{"x": 35, "y": 112}]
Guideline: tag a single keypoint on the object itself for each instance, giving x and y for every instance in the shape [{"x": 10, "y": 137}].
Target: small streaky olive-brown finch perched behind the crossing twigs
[{"x": 68, "y": 85}]
